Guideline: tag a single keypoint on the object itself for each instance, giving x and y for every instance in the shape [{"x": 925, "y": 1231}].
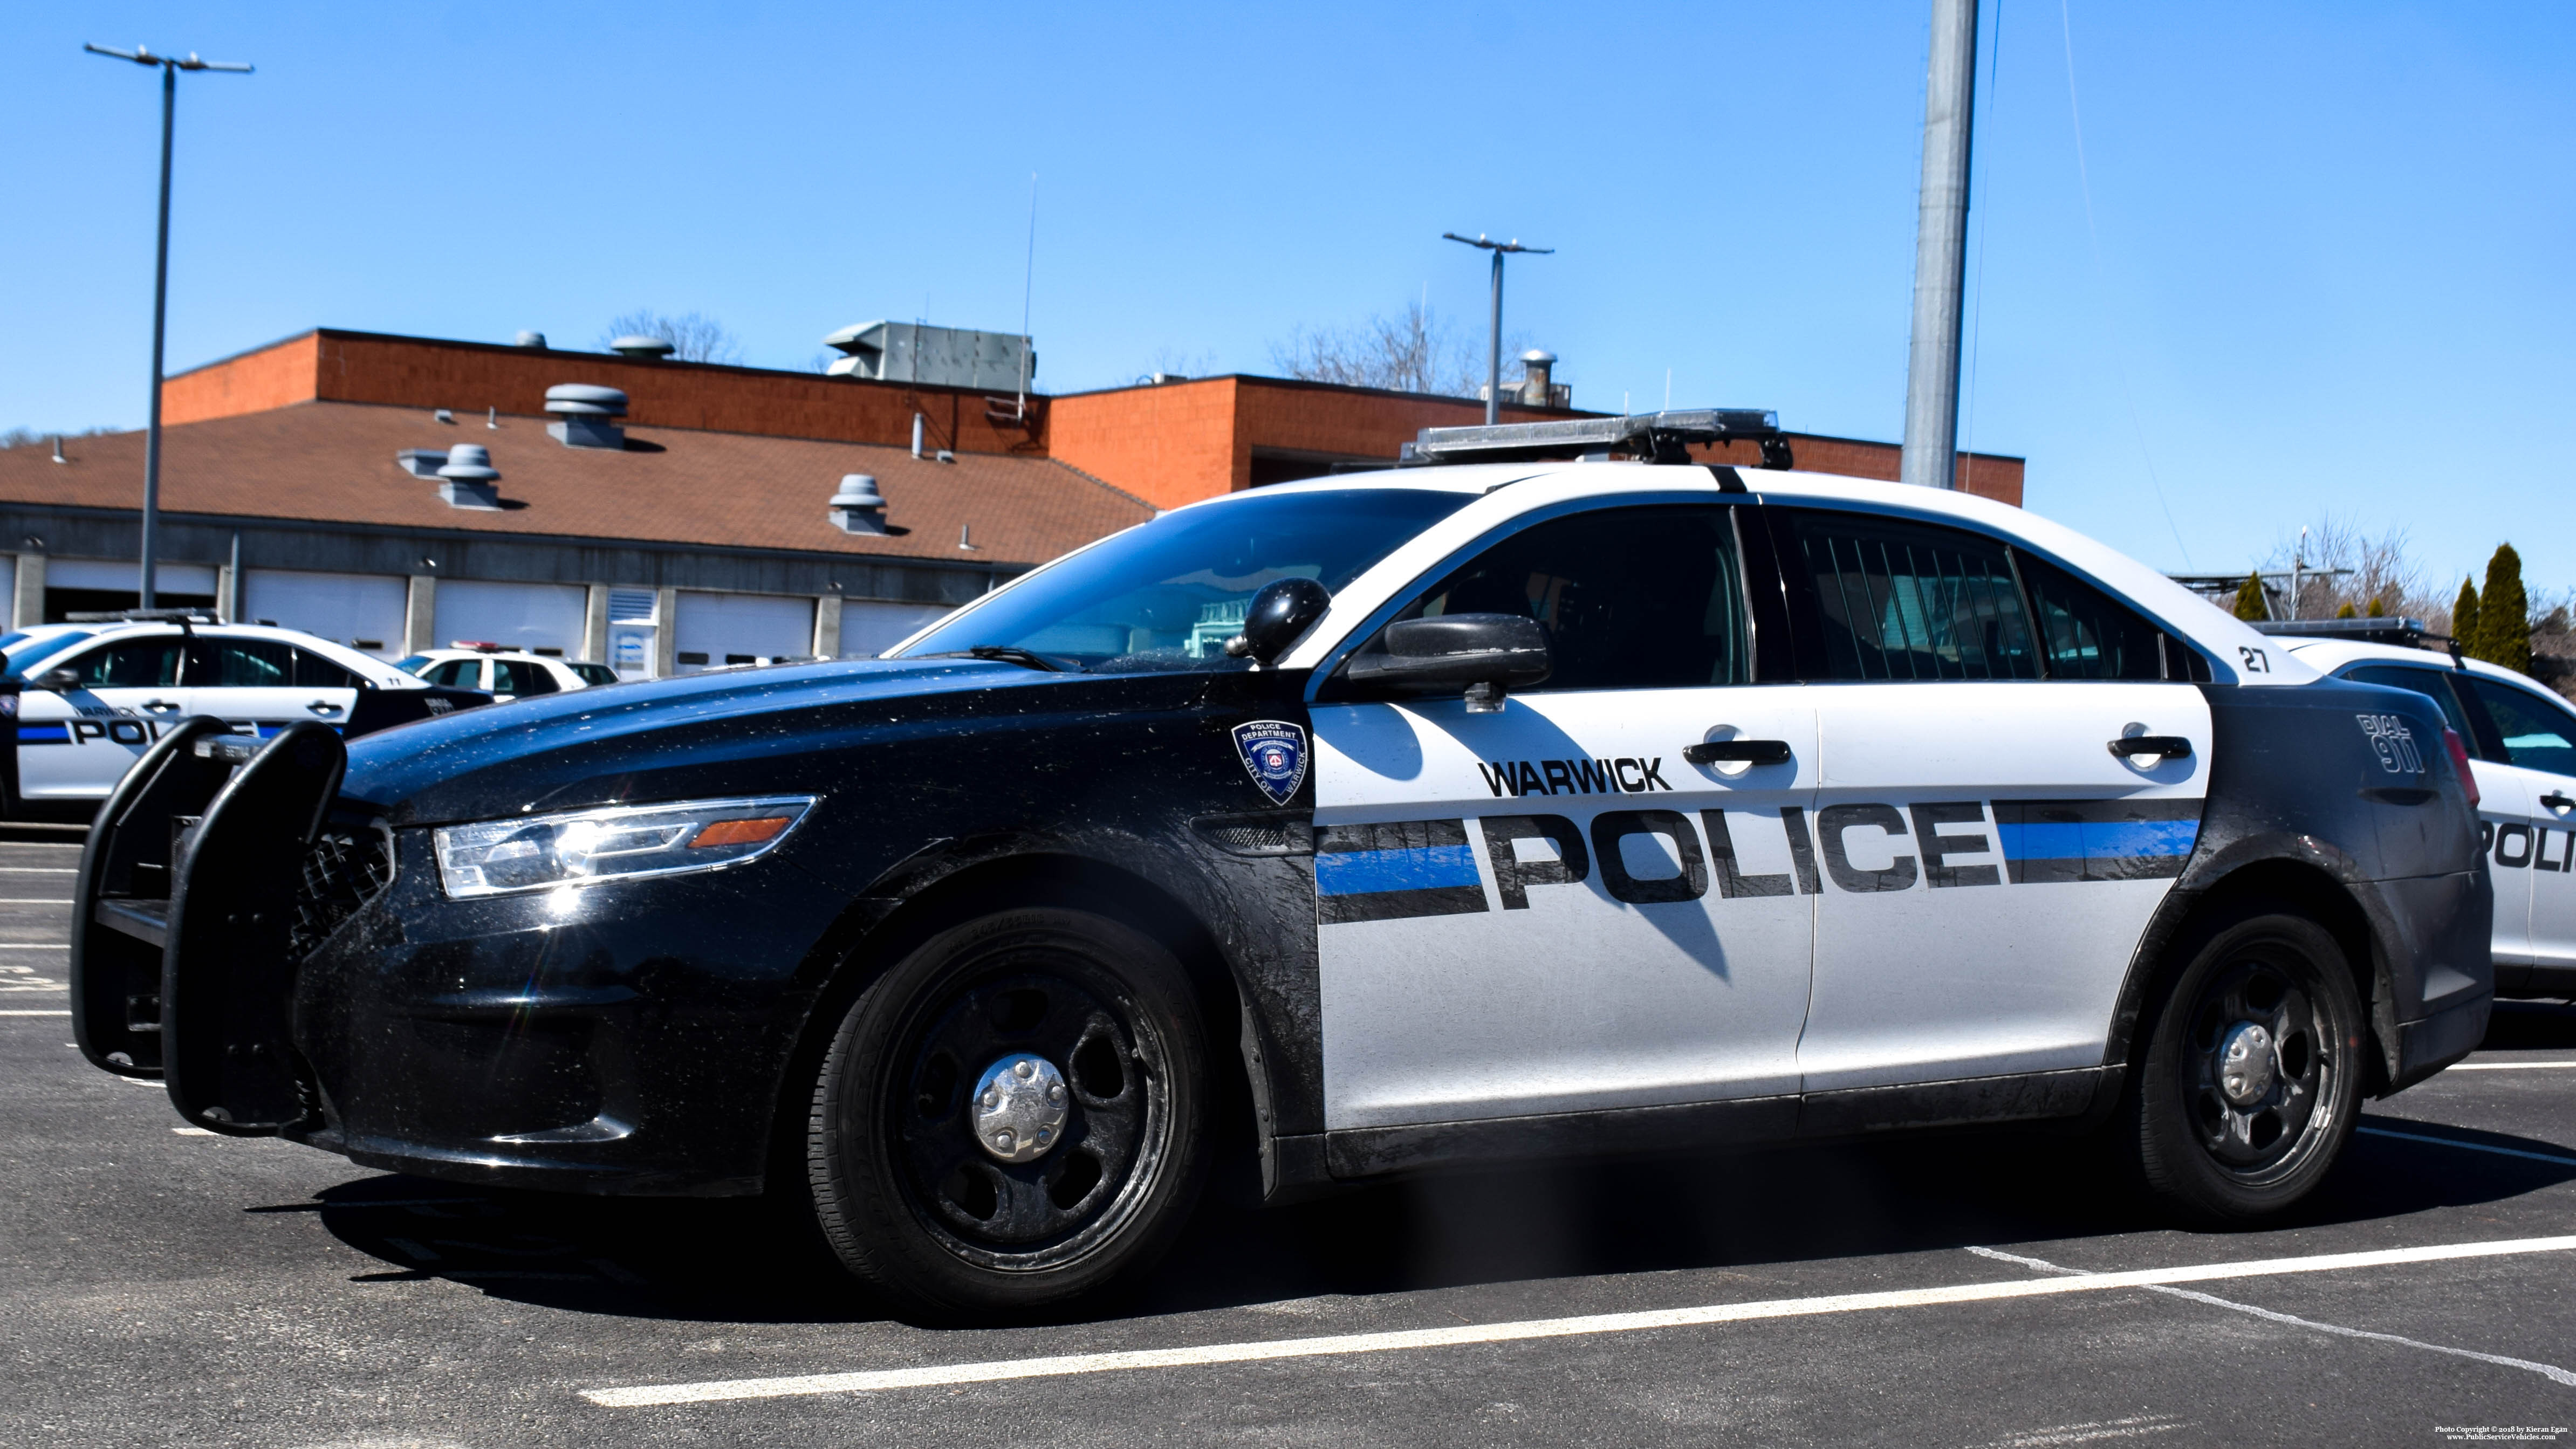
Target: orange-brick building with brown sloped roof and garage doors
[{"x": 331, "y": 483}]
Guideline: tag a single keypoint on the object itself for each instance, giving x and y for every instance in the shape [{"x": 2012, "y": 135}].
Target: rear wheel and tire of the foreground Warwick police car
[{"x": 2230, "y": 1139}]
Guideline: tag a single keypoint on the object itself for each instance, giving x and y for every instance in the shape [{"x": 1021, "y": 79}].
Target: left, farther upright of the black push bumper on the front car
[{"x": 122, "y": 897}]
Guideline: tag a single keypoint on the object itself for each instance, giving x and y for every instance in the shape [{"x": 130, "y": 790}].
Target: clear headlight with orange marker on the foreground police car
[{"x": 617, "y": 843}]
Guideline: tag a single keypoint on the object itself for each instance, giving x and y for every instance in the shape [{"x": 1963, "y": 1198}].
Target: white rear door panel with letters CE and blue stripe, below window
[{"x": 1987, "y": 961}]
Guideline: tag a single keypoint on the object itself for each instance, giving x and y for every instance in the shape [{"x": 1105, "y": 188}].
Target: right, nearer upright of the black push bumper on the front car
[{"x": 228, "y": 974}]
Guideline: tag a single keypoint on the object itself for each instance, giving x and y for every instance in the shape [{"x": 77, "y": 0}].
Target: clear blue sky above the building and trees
[{"x": 2325, "y": 272}]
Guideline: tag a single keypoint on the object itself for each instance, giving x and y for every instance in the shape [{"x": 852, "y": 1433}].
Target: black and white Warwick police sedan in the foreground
[{"x": 1501, "y": 807}]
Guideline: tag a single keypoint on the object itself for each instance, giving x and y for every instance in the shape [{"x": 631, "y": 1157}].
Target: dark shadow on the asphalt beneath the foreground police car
[{"x": 751, "y": 1262}]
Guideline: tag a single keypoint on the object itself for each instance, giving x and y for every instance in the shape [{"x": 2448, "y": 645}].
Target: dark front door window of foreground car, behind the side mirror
[{"x": 1632, "y": 598}]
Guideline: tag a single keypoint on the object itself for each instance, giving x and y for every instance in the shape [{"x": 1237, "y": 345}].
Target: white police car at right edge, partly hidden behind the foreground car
[{"x": 2523, "y": 753}]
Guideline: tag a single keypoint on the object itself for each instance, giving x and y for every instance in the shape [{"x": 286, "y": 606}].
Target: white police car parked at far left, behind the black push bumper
[{"x": 94, "y": 696}]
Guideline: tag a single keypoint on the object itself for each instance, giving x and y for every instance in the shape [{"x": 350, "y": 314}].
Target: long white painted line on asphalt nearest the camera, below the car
[{"x": 717, "y": 1391}]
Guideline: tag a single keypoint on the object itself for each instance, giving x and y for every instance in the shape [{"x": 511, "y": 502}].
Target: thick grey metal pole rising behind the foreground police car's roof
[{"x": 1941, "y": 248}]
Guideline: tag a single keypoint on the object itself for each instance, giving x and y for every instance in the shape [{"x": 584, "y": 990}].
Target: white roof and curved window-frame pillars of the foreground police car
[{"x": 1519, "y": 488}]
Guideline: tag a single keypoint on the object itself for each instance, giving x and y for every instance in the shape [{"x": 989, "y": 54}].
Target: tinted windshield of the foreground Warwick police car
[{"x": 1171, "y": 593}]
